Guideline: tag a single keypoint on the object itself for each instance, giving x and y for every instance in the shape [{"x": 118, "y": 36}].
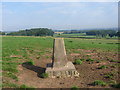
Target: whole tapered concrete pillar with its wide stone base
[{"x": 60, "y": 66}]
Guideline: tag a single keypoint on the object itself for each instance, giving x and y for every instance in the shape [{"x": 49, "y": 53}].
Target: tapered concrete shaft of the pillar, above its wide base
[{"x": 59, "y": 53}]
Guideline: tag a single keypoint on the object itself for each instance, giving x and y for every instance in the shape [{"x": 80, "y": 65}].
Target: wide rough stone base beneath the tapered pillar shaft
[{"x": 66, "y": 71}]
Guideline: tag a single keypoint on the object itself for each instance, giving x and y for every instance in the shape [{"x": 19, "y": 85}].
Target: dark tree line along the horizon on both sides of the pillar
[{"x": 50, "y": 32}]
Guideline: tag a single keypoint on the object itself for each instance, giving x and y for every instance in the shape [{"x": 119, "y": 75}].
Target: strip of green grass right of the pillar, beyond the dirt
[{"x": 83, "y": 44}]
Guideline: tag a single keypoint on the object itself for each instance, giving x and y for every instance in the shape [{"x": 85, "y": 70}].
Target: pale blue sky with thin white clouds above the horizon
[{"x": 59, "y": 15}]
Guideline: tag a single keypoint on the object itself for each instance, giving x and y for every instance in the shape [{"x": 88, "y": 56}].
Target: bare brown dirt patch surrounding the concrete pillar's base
[{"x": 89, "y": 72}]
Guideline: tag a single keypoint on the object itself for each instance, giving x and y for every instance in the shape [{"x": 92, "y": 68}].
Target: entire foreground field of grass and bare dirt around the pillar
[{"x": 24, "y": 60}]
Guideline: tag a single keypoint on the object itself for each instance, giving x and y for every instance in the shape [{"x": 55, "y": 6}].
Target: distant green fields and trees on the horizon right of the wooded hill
[{"x": 96, "y": 33}]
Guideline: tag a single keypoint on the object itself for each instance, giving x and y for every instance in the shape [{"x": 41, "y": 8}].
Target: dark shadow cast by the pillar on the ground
[{"x": 38, "y": 70}]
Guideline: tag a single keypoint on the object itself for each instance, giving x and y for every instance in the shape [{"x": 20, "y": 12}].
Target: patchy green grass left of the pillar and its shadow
[{"x": 22, "y": 48}]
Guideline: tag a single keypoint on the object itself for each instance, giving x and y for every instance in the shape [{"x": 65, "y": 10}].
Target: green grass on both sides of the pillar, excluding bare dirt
[{"x": 15, "y": 49}]
